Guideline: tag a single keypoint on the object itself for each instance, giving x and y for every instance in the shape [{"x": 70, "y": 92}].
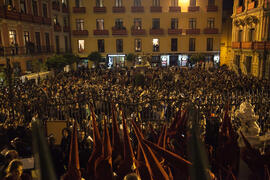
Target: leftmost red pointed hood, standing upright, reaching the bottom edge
[{"x": 74, "y": 172}]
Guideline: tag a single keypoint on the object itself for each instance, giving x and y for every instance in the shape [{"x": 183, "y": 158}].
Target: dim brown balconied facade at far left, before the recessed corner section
[{"x": 26, "y": 33}]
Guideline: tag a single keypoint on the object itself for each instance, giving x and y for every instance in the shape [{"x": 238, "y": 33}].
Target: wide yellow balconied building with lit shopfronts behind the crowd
[{"x": 170, "y": 31}]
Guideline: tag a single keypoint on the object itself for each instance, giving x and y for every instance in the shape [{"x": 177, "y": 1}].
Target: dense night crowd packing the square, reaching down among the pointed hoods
[{"x": 152, "y": 96}]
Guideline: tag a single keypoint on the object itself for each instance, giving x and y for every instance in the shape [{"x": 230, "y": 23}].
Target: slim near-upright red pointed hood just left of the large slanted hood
[{"x": 128, "y": 151}]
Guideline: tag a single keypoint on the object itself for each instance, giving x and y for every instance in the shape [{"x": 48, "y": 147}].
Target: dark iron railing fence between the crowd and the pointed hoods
[{"x": 160, "y": 111}]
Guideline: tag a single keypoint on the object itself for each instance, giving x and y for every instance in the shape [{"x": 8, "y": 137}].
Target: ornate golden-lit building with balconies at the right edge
[{"x": 251, "y": 37}]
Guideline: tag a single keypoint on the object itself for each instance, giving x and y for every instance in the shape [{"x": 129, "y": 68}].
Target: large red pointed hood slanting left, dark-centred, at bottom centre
[{"x": 155, "y": 169}]
